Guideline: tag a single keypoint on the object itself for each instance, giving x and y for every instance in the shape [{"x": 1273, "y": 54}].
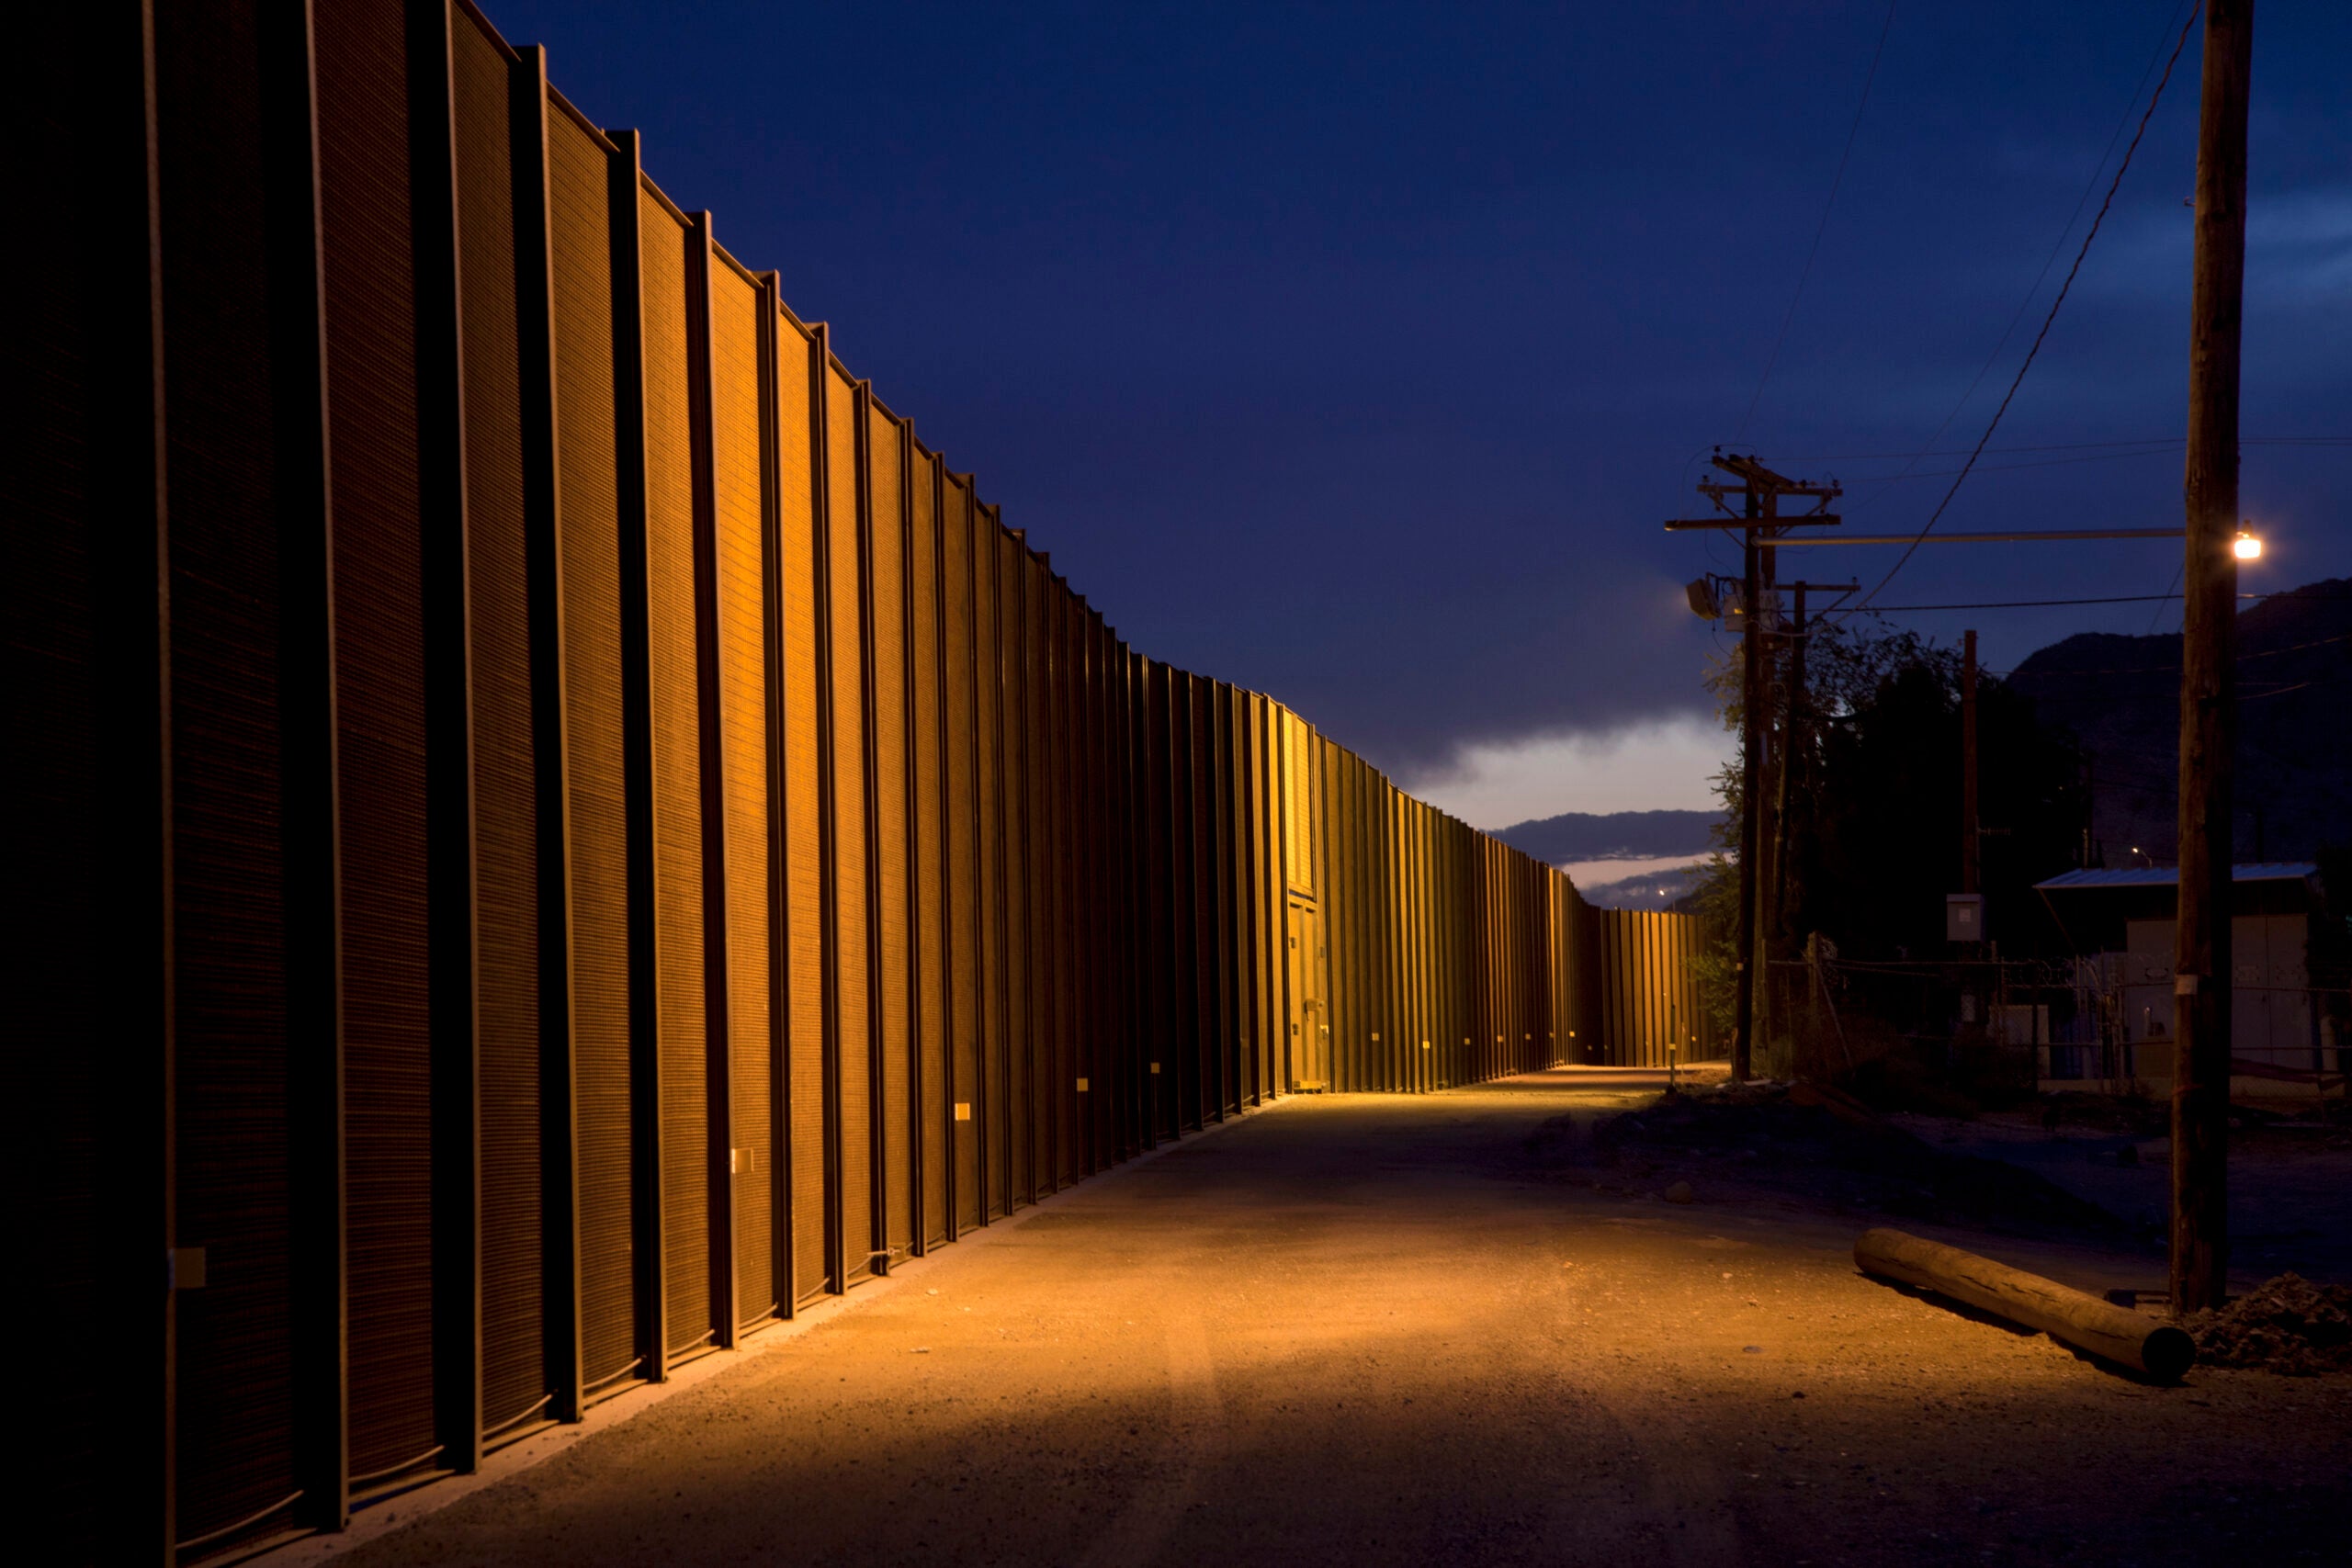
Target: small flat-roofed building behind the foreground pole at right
[{"x": 2283, "y": 1036}]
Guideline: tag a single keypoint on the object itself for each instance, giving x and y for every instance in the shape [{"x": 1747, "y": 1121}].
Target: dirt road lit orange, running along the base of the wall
[{"x": 1365, "y": 1332}]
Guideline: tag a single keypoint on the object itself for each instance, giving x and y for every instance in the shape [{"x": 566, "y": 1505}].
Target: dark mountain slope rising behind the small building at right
[{"x": 2123, "y": 702}]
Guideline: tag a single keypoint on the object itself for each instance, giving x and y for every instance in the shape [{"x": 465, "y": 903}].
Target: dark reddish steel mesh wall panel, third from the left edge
[{"x": 382, "y": 443}]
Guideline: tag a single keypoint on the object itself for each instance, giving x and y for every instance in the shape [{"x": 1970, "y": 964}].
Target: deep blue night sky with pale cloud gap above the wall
[{"x": 1356, "y": 354}]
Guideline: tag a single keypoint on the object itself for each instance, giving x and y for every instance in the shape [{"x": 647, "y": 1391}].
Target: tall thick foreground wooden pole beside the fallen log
[{"x": 2207, "y": 676}]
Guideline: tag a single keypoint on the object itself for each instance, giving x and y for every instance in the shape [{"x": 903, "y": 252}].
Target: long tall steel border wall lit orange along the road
[{"x": 554, "y": 831}]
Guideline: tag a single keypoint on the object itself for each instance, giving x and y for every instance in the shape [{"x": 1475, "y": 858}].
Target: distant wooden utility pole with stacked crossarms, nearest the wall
[{"x": 1760, "y": 521}]
